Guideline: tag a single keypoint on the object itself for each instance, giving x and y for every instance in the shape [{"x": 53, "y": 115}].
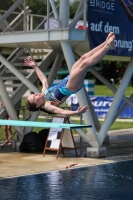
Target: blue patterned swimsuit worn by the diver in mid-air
[{"x": 57, "y": 92}]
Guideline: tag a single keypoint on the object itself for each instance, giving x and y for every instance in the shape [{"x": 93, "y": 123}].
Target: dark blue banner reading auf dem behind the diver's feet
[{"x": 111, "y": 16}]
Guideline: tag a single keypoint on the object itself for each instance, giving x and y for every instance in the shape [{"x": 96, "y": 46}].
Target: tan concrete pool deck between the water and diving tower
[{"x": 12, "y": 163}]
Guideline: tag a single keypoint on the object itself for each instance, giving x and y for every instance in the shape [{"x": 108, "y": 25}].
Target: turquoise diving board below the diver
[{"x": 42, "y": 124}]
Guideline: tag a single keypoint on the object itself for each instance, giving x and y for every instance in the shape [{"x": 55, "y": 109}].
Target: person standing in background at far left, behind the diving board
[{"x": 7, "y": 129}]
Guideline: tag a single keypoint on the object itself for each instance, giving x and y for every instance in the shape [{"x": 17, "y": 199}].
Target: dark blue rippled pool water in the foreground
[{"x": 102, "y": 182}]
